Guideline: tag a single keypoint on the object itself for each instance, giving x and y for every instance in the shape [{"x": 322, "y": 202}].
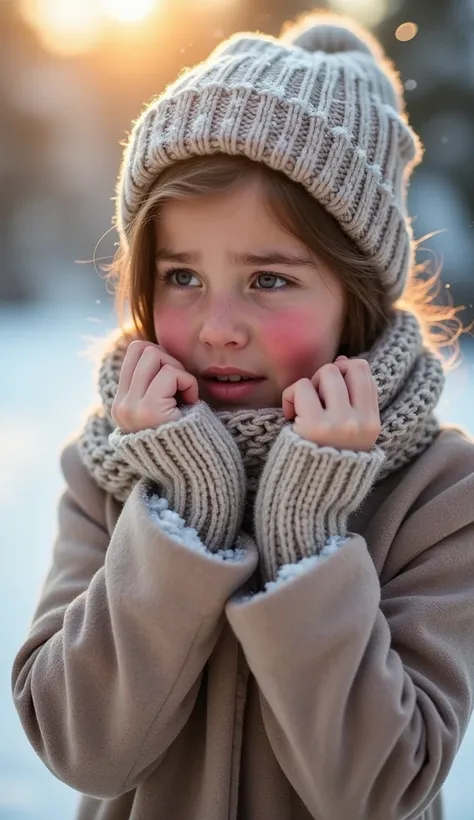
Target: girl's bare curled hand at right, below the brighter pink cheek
[{"x": 338, "y": 407}]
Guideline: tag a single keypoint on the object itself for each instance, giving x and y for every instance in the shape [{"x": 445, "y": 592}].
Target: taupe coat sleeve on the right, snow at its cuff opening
[{"x": 367, "y": 689}]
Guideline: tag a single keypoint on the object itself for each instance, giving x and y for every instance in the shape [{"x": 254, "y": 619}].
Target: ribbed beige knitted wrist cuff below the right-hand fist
[{"x": 305, "y": 496}]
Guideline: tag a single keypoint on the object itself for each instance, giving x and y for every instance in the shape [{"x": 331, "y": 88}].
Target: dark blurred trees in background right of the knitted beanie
[{"x": 437, "y": 66}]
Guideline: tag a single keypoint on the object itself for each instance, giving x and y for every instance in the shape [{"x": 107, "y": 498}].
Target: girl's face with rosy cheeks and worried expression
[{"x": 234, "y": 290}]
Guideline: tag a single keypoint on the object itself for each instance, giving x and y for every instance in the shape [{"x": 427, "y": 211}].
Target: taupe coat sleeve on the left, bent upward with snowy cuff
[{"x": 111, "y": 667}]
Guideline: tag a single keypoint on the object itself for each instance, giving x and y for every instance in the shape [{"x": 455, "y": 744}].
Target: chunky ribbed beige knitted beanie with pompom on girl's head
[{"x": 321, "y": 104}]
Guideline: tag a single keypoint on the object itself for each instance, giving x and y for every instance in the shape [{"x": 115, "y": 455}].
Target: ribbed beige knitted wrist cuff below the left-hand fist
[{"x": 198, "y": 469}]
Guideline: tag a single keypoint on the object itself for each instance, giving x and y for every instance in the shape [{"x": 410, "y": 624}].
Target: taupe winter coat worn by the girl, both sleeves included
[{"x": 154, "y": 682}]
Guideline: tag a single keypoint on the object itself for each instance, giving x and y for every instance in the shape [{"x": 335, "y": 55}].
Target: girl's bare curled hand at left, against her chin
[{"x": 149, "y": 381}]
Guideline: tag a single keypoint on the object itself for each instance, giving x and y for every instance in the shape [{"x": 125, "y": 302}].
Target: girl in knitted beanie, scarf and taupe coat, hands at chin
[{"x": 261, "y": 601}]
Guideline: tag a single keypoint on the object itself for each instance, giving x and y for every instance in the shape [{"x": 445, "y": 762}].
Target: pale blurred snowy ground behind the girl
[{"x": 47, "y": 387}]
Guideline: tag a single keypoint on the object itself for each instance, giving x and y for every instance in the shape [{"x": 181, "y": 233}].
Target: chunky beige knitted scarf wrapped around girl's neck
[{"x": 409, "y": 379}]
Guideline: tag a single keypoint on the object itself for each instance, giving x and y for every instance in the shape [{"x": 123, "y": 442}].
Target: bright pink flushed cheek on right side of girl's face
[{"x": 294, "y": 345}]
